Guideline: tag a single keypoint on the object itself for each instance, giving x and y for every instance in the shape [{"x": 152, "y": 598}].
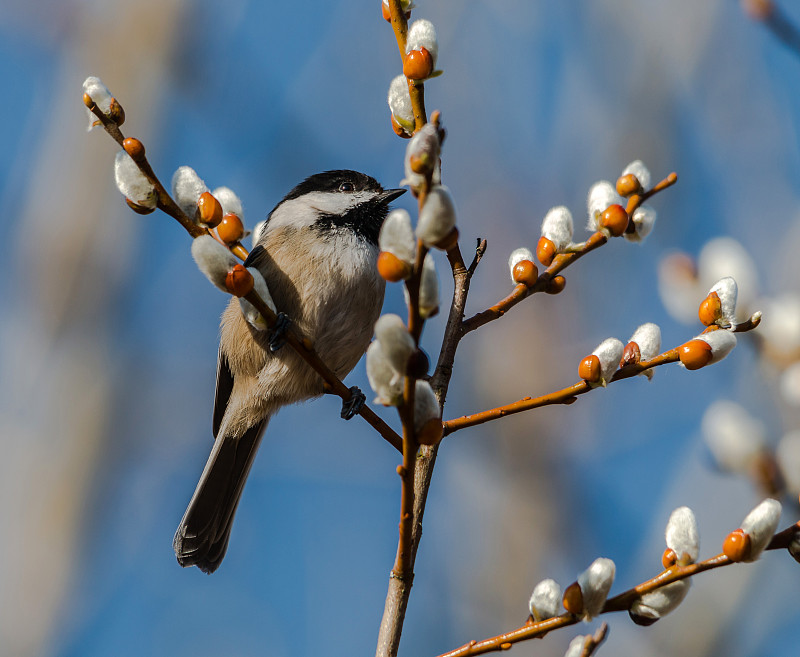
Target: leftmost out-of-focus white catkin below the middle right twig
[{"x": 734, "y": 437}]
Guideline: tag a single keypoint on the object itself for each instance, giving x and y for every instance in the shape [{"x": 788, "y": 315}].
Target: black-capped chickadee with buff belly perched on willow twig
[{"x": 317, "y": 253}]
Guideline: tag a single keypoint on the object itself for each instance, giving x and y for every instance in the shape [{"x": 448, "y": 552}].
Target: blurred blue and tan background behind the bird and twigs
[{"x": 109, "y": 332}]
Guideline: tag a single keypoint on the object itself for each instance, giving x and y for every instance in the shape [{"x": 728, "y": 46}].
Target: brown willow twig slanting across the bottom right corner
[{"x": 621, "y": 602}]
